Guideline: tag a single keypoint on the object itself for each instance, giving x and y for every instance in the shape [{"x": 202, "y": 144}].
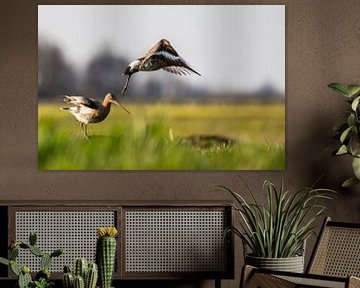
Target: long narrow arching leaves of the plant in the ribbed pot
[{"x": 279, "y": 229}]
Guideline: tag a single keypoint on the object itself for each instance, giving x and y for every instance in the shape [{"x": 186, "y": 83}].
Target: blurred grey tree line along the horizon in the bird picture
[{"x": 103, "y": 74}]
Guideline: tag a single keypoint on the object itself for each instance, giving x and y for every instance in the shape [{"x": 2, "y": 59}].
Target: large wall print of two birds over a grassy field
[{"x": 161, "y": 87}]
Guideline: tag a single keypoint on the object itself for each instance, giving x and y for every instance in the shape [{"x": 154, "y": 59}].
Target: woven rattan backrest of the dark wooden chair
[{"x": 337, "y": 251}]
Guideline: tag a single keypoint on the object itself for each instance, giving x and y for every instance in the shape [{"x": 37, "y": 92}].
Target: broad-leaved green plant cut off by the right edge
[{"x": 348, "y": 132}]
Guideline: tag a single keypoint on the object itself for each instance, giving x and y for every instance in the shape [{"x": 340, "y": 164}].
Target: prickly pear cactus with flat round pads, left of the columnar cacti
[{"x": 42, "y": 278}]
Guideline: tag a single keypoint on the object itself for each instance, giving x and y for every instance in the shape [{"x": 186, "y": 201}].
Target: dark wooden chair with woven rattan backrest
[{"x": 335, "y": 262}]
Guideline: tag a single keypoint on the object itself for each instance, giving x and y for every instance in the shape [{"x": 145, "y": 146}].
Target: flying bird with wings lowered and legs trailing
[{"x": 161, "y": 56}]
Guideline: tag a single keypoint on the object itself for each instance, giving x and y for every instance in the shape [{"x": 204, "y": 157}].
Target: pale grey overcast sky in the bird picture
[{"x": 234, "y": 47}]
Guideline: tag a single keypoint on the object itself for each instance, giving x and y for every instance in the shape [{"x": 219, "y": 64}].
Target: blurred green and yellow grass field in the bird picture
[{"x": 161, "y": 137}]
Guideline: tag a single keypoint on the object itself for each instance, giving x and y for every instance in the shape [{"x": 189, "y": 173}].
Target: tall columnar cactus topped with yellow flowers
[{"x": 106, "y": 254}]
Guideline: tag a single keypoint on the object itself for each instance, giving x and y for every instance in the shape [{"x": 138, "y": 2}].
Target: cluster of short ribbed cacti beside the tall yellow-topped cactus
[{"x": 85, "y": 275}]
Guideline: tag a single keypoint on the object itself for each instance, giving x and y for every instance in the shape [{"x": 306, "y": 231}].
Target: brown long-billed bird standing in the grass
[{"x": 87, "y": 110}]
